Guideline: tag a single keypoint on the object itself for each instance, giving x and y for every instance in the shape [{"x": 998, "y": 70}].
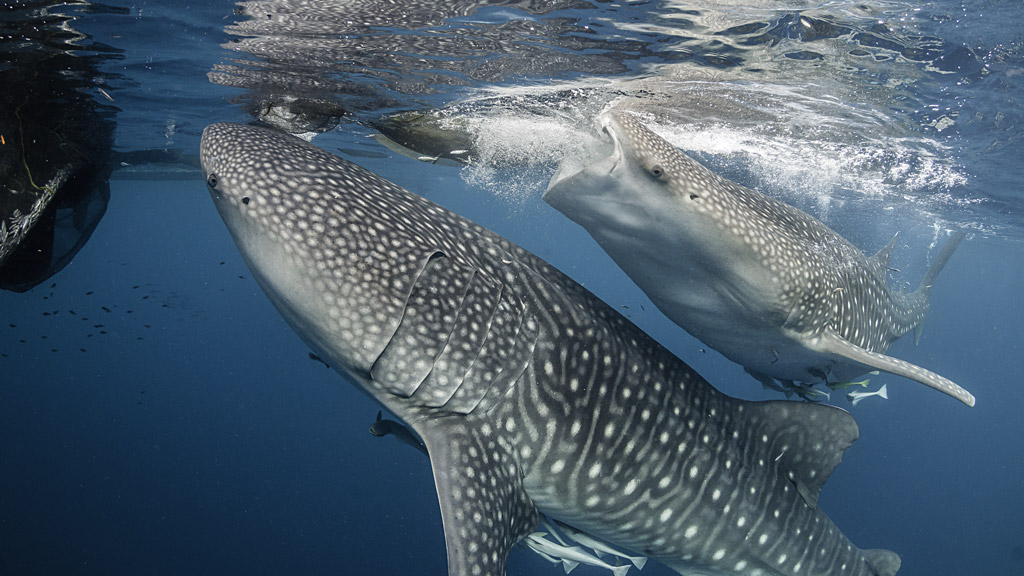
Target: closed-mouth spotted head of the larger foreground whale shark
[{"x": 306, "y": 224}]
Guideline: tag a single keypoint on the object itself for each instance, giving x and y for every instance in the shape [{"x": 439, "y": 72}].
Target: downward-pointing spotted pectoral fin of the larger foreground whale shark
[{"x": 485, "y": 509}]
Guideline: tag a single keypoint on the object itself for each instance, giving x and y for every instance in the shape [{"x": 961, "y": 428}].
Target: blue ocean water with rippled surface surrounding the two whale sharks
[{"x": 158, "y": 417}]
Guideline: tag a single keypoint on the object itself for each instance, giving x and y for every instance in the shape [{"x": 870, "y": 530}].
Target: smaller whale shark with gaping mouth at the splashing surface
[{"x": 769, "y": 286}]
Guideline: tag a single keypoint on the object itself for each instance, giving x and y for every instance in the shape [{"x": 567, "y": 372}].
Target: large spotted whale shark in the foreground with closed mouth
[{"x": 532, "y": 396}]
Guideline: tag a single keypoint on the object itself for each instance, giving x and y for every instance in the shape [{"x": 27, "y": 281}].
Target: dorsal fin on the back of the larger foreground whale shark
[{"x": 805, "y": 441}]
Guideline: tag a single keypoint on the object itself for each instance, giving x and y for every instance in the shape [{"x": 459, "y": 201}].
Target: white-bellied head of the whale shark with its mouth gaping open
[{"x": 680, "y": 231}]
